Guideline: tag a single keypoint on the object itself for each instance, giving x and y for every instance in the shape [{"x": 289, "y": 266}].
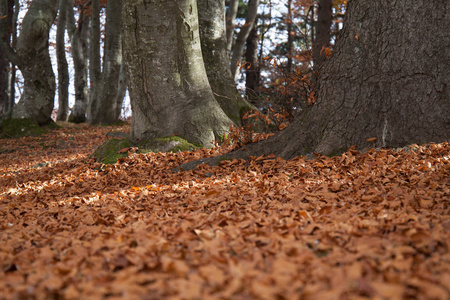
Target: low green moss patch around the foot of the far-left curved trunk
[{"x": 14, "y": 128}]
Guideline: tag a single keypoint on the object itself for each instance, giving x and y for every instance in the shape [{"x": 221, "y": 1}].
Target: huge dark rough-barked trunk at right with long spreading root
[{"x": 389, "y": 79}]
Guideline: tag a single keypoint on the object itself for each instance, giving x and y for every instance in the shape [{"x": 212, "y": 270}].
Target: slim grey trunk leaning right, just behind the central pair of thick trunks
[{"x": 238, "y": 48}]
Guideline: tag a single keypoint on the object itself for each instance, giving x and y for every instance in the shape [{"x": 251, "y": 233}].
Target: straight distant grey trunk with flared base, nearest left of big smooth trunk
[{"x": 103, "y": 103}]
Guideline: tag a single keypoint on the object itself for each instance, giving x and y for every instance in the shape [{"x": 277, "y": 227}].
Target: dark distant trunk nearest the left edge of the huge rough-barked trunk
[{"x": 323, "y": 32}]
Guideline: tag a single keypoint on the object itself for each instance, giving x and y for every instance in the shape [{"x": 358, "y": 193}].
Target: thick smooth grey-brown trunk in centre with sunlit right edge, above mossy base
[{"x": 167, "y": 81}]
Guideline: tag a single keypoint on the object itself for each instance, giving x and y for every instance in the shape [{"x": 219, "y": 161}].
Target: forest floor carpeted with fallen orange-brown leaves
[{"x": 372, "y": 225}]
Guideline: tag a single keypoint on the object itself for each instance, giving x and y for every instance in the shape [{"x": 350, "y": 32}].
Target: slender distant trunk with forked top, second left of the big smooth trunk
[{"x": 79, "y": 41}]
